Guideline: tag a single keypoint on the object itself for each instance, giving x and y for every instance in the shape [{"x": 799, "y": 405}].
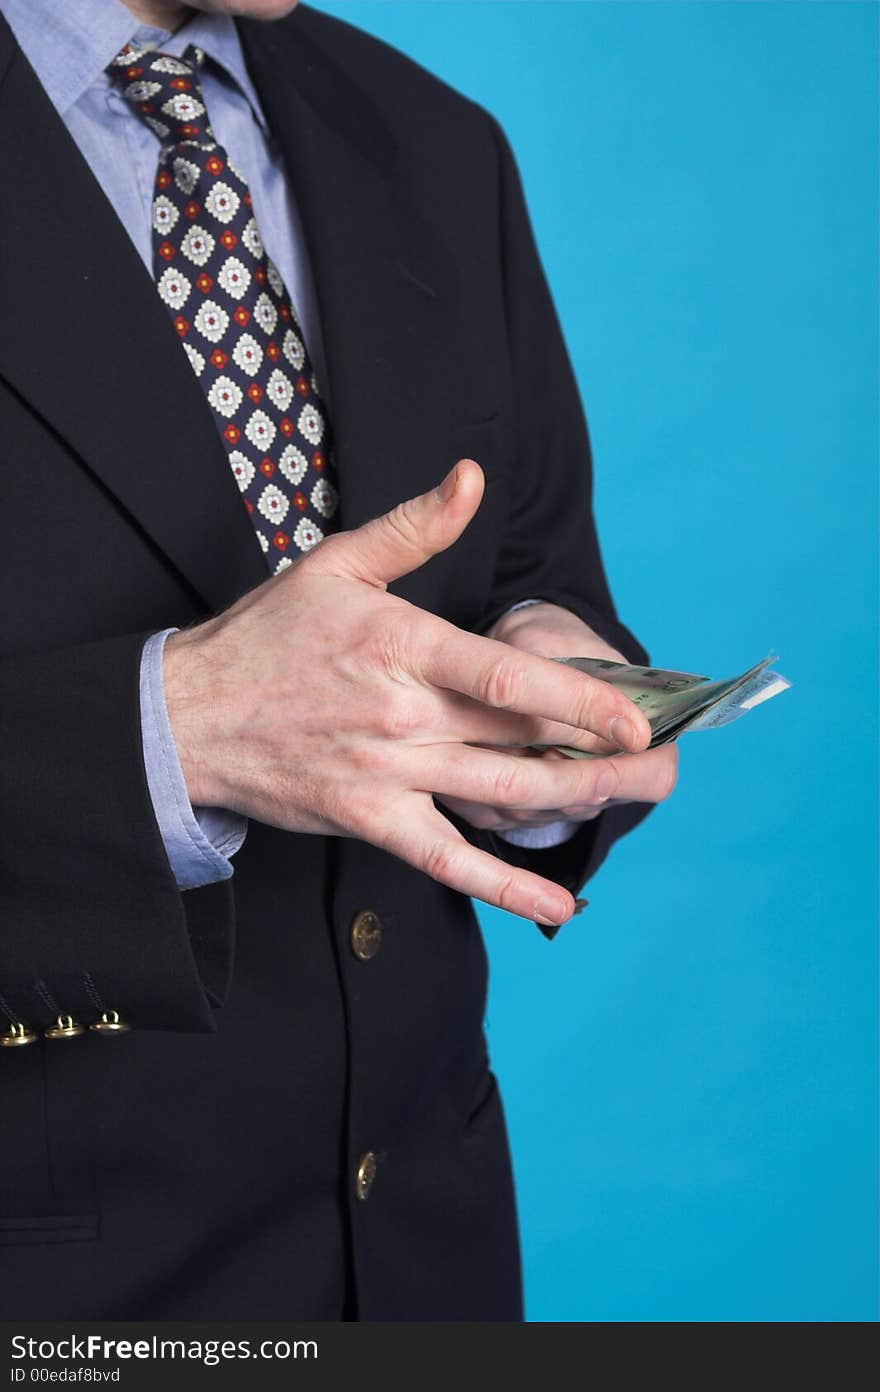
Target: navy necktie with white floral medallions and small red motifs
[{"x": 232, "y": 313}]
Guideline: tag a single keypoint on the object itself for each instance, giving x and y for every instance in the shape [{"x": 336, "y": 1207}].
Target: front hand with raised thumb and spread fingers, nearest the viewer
[{"x": 321, "y": 704}]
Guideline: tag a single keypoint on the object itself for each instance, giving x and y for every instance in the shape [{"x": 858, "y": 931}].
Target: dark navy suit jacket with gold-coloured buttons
[{"x": 204, "y": 1164}]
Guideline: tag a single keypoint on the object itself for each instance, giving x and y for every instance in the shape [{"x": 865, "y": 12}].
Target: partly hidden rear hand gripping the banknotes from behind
[{"x": 551, "y": 631}]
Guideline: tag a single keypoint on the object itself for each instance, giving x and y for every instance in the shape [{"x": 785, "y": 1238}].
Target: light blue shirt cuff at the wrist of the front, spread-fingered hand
[{"x": 198, "y": 841}]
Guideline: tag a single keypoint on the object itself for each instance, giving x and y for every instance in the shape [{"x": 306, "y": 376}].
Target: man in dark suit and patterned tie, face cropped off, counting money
[{"x": 265, "y": 1093}]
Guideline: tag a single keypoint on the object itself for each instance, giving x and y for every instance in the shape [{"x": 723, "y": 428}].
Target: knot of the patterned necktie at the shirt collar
[{"x": 165, "y": 93}]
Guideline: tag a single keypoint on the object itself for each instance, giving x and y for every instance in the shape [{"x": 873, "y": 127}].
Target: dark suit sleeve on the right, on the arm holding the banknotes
[{"x": 551, "y": 549}]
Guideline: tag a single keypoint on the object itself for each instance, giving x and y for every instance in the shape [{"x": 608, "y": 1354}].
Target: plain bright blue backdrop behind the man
[{"x": 690, "y": 1068}]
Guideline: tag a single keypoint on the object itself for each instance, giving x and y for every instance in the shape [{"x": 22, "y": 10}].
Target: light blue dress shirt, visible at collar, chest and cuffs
[{"x": 70, "y": 47}]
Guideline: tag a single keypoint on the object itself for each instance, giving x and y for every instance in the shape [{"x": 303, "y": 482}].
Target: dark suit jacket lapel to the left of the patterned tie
[{"x": 94, "y": 353}]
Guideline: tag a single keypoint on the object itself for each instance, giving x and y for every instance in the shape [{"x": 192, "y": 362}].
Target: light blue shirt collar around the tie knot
[{"x": 70, "y": 45}]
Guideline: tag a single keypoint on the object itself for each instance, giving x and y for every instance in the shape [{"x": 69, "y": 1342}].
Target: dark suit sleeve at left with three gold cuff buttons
[{"x": 91, "y": 915}]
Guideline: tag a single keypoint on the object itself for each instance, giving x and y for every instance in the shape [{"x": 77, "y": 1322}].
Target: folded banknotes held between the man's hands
[{"x": 679, "y": 702}]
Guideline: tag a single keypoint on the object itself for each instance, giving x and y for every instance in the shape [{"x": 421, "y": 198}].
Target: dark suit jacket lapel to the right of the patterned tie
[{"x": 382, "y": 282}]
